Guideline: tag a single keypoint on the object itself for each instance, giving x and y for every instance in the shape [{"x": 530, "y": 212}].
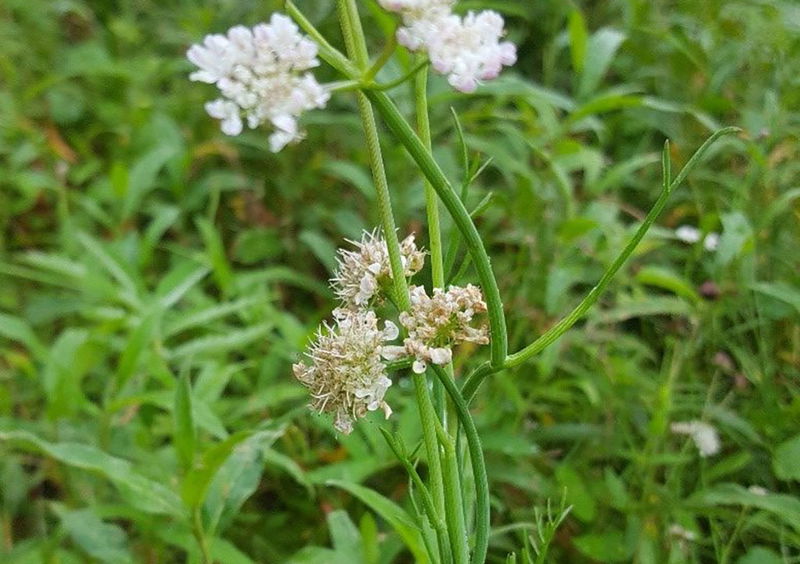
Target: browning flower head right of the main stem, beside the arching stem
[{"x": 435, "y": 324}]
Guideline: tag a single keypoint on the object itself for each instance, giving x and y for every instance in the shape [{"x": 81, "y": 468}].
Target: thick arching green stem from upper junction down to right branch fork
[{"x": 401, "y": 129}]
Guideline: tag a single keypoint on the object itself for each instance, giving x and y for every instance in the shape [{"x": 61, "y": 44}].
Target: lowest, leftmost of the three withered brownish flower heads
[{"x": 346, "y": 375}]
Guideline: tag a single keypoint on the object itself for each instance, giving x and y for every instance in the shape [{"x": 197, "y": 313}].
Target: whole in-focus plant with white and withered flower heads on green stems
[{"x": 264, "y": 76}]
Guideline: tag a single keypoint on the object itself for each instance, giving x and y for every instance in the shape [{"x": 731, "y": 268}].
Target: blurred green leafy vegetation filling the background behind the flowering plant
[{"x": 154, "y": 272}]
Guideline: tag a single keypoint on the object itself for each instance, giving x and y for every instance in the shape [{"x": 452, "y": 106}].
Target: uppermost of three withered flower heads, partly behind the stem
[{"x": 361, "y": 273}]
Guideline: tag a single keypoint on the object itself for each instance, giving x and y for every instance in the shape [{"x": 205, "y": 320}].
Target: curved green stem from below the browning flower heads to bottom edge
[{"x": 478, "y": 465}]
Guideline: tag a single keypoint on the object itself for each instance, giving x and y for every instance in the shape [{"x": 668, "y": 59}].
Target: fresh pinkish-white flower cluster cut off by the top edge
[{"x": 466, "y": 49}]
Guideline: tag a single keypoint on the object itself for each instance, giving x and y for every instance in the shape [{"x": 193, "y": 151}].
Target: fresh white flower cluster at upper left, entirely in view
[{"x": 263, "y": 75}]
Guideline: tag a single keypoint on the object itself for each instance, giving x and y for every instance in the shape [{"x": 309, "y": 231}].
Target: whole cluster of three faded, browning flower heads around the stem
[{"x": 347, "y": 375}]
